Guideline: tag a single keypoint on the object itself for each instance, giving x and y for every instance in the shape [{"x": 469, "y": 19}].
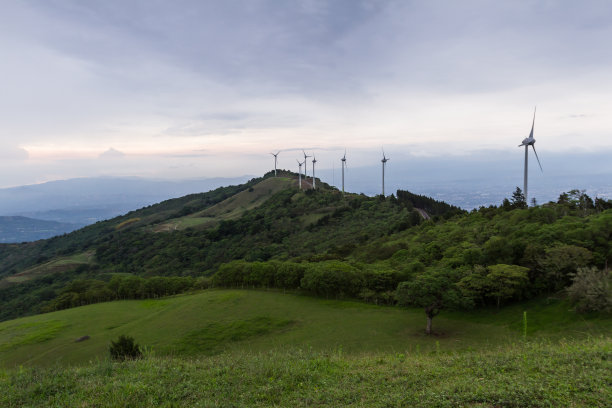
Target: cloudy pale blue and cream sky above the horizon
[{"x": 186, "y": 89}]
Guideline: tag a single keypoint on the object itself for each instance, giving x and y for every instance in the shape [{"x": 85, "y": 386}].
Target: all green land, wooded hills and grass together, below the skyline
[{"x": 504, "y": 282}]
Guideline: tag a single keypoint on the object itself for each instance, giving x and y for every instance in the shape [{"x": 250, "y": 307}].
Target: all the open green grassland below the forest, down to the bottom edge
[{"x": 255, "y": 348}]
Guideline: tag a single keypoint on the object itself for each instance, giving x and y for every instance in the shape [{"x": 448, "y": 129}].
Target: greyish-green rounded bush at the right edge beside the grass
[{"x": 591, "y": 290}]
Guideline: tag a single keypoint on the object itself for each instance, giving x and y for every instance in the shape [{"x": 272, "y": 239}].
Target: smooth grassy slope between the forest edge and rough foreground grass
[{"x": 235, "y": 321}]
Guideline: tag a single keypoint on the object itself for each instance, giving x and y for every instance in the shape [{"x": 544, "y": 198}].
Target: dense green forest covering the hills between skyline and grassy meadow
[{"x": 322, "y": 242}]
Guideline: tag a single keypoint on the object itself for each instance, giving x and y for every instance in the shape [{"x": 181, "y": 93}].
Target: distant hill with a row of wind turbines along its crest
[{"x": 192, "y": 235}]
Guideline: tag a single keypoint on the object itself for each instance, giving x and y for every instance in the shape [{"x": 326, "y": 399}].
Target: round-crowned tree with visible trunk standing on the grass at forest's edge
[{"x": 434, "y": 291}]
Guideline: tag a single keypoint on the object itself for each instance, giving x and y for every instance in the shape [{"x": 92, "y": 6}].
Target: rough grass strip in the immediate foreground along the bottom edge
[{"x": 525, "y": 374}]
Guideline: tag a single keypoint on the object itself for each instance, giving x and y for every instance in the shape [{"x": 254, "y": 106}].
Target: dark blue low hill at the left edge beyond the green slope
[{"x": 22, "y": 229}]
